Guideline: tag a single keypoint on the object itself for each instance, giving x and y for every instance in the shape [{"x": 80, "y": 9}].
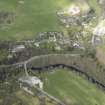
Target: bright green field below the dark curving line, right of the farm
[{"x": 73, "y": 89}]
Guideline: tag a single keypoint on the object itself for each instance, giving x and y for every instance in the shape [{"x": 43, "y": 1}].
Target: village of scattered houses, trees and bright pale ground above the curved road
[{"x": 80, "y": 33}]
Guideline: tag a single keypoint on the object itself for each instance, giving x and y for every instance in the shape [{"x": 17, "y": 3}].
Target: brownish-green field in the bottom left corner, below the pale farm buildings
[{"x": 23, "y": 98}]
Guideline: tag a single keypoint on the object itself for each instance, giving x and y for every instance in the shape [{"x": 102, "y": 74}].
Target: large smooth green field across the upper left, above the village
[{"x": 31, "y": 17}]
